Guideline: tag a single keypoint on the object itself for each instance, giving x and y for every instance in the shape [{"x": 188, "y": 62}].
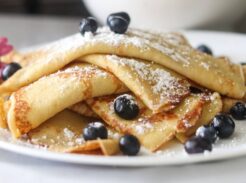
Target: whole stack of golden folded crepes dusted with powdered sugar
[{"x": 68, "y": 83}]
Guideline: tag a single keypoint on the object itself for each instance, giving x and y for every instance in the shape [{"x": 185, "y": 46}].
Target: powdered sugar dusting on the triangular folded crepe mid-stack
[{"x": 165, "y": 86}]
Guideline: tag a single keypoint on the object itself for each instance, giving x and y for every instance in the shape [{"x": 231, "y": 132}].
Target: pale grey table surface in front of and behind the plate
[{"x": 26, "y": 31}]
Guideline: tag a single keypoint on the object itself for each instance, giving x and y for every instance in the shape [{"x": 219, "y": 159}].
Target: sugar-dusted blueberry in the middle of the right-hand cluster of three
[{"x": 207, "y": 132}]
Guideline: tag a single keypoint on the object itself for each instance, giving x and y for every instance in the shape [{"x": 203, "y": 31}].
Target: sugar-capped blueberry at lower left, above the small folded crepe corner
[{"x": 94, "y": 131}]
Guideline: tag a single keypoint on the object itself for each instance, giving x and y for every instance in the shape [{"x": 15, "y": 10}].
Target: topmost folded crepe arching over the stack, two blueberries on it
[{"x": 167, "y": 51}]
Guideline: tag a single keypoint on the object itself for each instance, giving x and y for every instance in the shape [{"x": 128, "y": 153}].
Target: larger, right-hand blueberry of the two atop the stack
[{"x": 118, "y": 22}]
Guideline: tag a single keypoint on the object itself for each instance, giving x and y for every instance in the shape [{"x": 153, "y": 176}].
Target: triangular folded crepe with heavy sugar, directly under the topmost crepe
[{"x": 160, "y": 89}]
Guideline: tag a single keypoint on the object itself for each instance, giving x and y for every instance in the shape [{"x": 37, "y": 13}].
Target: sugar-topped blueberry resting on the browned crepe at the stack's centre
[{"x": 126, "y": 107}]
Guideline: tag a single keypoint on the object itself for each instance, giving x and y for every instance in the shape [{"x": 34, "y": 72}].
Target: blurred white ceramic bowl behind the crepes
[{"x": 171, "y": 14}]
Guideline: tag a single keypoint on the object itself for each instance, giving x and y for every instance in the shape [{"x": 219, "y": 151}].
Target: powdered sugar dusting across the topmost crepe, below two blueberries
[{"x": 172, "y": 45}]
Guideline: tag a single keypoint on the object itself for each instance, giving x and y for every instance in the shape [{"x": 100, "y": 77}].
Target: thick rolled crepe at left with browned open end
[{"x": 29, "y": 108}]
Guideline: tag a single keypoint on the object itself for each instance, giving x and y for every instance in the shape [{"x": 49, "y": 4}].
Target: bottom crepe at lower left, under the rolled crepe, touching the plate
[{"x": 63, "y": 133}]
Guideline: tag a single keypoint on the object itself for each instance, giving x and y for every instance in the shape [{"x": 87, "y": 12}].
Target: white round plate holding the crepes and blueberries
[{"x": 232, "y": 45}]
